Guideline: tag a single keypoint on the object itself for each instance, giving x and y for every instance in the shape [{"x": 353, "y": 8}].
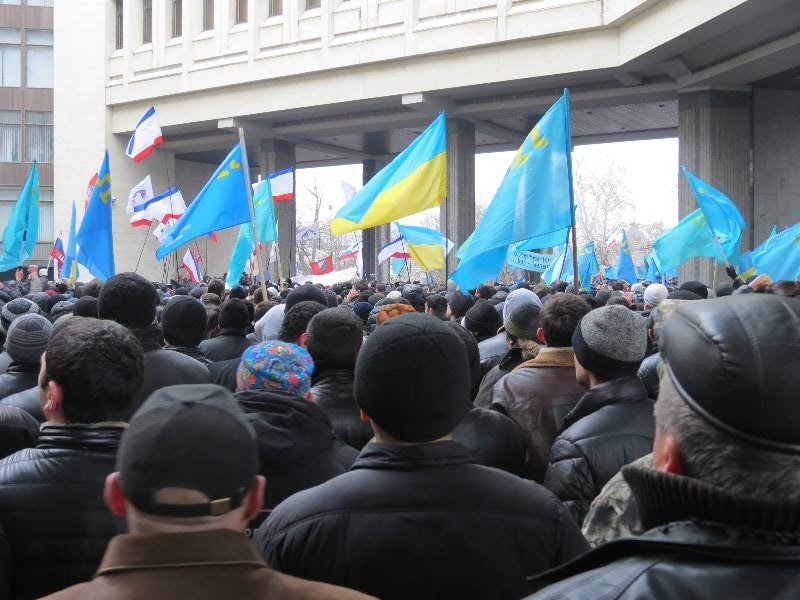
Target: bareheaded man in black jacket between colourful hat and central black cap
[{"x": 333, "y": 339}]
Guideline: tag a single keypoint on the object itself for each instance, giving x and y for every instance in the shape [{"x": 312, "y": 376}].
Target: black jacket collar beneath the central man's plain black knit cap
[{"x": 376, "y": 455}]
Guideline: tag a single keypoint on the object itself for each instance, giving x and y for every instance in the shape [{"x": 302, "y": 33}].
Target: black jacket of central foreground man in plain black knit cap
[{"x": 421, "y": 522}]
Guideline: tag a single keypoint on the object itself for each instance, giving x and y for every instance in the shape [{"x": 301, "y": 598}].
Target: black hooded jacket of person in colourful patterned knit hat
[{"x": 296, "y": 446}]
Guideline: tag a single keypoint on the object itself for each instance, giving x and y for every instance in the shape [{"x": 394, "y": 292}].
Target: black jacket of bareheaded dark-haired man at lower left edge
[{"x": 55, "y": 526}]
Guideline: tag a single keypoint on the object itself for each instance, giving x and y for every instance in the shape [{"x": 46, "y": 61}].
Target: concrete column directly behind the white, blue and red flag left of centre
[{"x": 275, "y": 155}]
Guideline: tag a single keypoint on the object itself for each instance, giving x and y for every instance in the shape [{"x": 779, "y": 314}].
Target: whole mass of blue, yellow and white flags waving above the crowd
[{"x": 533, "y": 209}]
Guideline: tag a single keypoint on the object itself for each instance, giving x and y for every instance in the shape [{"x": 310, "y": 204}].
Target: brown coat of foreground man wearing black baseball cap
[{"x": 208, "y": 565}]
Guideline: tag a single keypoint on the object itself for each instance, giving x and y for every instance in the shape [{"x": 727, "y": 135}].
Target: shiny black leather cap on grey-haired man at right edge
[{"x": 730, "y": 360}]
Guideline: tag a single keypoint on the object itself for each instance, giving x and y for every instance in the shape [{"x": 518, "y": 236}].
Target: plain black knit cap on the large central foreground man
[{"x": 411, "y": 378}]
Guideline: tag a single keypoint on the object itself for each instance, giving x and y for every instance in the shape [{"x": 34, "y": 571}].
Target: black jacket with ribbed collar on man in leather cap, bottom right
[{"x": 704, "y": 542}]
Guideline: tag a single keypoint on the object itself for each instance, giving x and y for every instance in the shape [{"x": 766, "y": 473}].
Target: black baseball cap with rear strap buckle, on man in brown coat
[{"x": 193, "y": 437}]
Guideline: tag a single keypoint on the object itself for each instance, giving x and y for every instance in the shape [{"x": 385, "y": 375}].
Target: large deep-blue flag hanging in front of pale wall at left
[{"x": 95, "y": 238}]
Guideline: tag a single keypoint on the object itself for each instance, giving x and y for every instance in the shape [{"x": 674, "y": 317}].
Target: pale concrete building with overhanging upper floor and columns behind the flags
[{"x": 326, "y": 82}]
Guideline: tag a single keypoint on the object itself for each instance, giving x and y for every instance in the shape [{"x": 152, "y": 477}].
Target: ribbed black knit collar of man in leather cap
[{"x": 664, "y": 498}]
